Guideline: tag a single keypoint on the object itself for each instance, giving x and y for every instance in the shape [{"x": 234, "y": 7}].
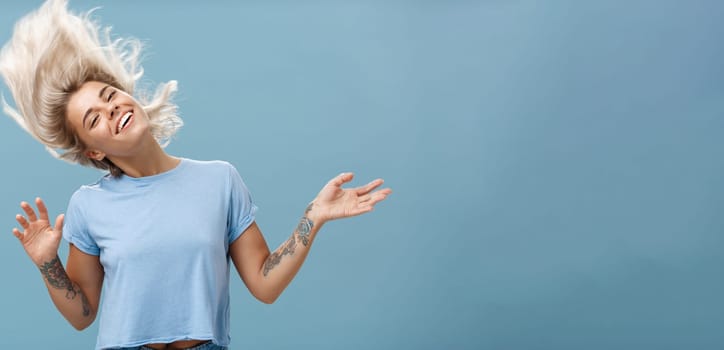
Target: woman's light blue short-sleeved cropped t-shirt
[{"x": 163, "y": 242}]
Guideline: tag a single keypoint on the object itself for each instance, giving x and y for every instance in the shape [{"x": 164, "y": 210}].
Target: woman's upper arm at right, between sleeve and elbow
[{"x": 248, "y": 252}]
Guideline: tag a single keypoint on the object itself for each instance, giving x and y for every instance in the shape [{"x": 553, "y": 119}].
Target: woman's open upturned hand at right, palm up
[{"x": 335, "y": 202}]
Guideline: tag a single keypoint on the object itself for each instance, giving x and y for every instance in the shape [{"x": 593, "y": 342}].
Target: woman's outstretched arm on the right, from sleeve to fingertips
[{"x": 268, "y": 274}]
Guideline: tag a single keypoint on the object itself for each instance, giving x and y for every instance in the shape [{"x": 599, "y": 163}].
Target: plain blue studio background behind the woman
[{"x": 557, "y": 168}]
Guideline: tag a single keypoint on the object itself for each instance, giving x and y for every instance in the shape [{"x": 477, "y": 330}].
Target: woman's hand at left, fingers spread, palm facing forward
[{"x": 40, "y": 240}]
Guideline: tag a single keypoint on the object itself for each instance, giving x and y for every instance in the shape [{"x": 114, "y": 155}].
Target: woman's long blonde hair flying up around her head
[{"x": 51, "y": 54}]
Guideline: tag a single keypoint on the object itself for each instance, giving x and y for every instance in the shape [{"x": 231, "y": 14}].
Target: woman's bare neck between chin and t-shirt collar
[{"x": 151, "y": 162}]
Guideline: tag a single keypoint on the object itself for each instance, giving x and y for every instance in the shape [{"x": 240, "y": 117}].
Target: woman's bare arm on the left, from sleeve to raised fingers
[{"x": 75, "y": 291}]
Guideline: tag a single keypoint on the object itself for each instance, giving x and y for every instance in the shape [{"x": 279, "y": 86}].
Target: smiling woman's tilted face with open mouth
[{"x": 107, "y": 120}]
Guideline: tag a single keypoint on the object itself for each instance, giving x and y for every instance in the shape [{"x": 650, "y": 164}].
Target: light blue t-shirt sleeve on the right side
[{"x": 242, "y": 210}]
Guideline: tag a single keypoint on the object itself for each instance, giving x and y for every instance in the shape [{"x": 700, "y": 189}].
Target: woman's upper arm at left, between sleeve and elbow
[{"x": 86, "y": 270}]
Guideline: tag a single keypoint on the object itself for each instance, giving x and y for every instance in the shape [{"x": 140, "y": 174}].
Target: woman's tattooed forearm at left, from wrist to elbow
[{"x": 67, "y": 296}]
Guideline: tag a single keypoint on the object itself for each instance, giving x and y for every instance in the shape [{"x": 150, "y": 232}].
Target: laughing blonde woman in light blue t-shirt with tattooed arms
[{"x": 158, "y": 233}]
